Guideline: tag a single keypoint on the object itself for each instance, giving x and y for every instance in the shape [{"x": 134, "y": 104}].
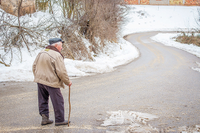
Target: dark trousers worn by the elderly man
[{"x": 56, "y": 98}]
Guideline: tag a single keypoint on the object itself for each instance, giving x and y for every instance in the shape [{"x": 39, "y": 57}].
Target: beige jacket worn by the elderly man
[{"x": 49, "y": 69}]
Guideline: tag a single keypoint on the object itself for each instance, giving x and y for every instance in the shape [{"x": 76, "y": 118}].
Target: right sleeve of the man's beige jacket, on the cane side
[{"x": 61, "y": 70}]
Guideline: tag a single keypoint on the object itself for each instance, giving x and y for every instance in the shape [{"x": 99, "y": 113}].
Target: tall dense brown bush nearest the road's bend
[{"x": 101, "y": 19}]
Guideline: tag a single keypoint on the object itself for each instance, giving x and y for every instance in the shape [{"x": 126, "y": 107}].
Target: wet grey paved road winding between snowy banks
[{"x": 159, "y": 82}]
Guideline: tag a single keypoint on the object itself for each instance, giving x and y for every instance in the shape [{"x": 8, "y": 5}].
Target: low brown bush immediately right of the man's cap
[{"x": 74, "y": 46}]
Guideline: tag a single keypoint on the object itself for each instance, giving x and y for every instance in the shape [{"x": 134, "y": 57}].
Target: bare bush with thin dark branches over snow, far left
[{"x": 16, "y": 32}]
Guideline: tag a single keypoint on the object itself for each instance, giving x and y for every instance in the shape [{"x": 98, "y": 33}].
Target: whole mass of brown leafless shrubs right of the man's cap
[{"x": 96, "y": 19}]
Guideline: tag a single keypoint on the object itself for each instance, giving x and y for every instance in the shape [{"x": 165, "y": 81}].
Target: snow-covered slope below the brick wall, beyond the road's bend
[{"x": 143, "y": 18}]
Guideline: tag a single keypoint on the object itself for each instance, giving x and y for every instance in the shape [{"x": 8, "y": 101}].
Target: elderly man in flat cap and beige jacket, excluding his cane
[{"x": 50, "y": 75}]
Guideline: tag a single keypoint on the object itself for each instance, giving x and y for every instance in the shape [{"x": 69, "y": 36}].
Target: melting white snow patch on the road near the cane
[{"x": 129, "y": 121}]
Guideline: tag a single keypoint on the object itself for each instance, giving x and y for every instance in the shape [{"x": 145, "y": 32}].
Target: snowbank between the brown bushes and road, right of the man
[{"x": 113, "y": 55}]
